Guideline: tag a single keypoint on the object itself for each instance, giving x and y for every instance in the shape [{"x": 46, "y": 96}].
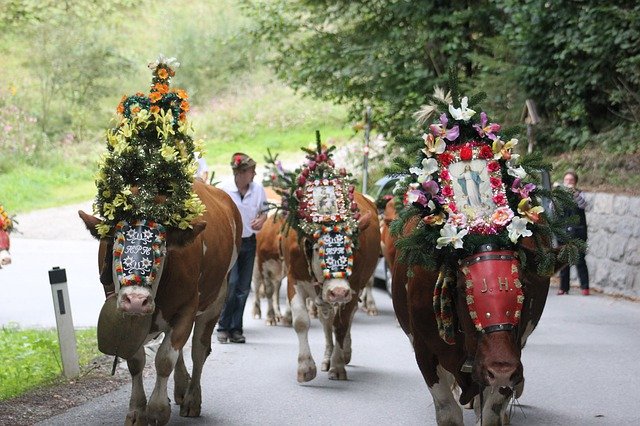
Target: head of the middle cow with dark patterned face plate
[{"x": 332, "y": 260}]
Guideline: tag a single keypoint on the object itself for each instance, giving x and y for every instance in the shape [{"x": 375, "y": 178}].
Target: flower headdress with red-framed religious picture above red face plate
[{"x": 470, "y": 189}]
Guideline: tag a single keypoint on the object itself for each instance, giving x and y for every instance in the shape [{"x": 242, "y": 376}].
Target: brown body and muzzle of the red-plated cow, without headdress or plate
[{"x": 485, "y": 367}]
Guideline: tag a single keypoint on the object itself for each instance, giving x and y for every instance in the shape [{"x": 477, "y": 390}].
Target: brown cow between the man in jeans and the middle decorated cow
[{"x": 269, "y": 269}]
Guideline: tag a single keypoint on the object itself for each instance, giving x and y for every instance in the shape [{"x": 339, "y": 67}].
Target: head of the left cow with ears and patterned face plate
[{"x": 135, "y": 257}]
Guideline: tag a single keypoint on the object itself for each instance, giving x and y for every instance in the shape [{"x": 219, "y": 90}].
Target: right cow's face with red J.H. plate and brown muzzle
[{"x": 489, "y": 306}]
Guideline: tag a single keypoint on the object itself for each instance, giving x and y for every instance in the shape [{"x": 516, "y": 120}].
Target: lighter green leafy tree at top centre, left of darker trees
[{"x": 385, "y": 53}]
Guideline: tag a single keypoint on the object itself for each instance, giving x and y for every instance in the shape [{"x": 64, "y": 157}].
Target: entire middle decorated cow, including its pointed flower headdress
[{"x": 331, "y": 249}]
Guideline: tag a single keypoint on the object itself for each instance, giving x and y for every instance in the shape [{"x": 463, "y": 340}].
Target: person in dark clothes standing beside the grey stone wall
[{"x": 578, "y": 230}]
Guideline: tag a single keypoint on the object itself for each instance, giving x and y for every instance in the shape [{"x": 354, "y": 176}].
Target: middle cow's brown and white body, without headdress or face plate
[{"x": 337, "y": 299}]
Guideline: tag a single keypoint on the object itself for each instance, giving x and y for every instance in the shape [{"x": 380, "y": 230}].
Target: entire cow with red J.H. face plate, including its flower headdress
[{"x": 474, "y": 256}]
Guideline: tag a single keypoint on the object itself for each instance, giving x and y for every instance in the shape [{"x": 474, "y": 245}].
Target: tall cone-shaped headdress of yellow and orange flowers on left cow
[{"x": 148, "y": 169}]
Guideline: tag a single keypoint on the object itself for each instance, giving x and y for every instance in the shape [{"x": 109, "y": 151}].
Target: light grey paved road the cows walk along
[{"x": 581, "y": 364}]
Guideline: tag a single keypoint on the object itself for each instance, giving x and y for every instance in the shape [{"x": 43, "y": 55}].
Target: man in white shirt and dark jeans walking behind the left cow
[{"x": 251, "y": 200}]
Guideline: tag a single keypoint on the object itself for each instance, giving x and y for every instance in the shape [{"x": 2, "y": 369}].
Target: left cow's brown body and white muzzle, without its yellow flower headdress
[{"x": 188, "y": 292}]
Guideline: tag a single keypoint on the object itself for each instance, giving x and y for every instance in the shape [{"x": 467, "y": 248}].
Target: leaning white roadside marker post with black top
[{"x": 64, "y": 322}]
